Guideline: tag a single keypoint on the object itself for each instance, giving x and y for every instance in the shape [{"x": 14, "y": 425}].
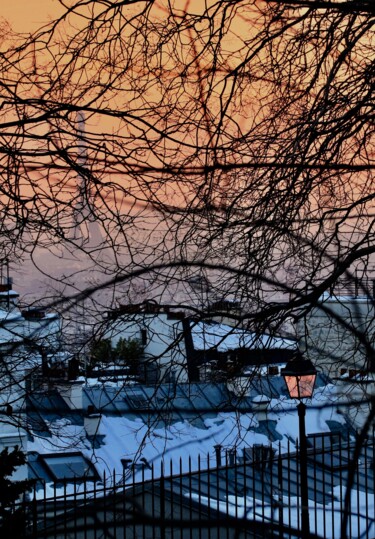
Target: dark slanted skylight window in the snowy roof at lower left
[{"x": 69, "y": 466}]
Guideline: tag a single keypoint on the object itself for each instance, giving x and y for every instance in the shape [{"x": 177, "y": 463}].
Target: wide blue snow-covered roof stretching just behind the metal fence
[{"x": 169, "y": 423}]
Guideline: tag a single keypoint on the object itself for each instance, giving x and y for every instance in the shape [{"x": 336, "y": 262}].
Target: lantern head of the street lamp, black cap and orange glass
[{"x": 300, "y": 376}]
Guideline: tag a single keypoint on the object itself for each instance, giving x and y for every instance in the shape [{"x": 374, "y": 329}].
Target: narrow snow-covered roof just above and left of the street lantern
[{"x": 222, "y": 337}]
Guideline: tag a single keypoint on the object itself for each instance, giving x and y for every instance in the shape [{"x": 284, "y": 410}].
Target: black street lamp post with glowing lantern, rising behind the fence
[{"x": 300, "y": 375}]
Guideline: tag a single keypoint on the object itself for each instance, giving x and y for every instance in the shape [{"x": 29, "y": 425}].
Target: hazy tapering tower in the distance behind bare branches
[{"x": 86, "y": 230}]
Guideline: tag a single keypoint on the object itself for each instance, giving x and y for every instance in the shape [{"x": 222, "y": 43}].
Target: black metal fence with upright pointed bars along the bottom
[{"x": 249, "y": 493}]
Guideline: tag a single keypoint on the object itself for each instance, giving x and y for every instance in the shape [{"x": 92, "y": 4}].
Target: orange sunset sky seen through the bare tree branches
[{"x": 188, "y": 114}]
